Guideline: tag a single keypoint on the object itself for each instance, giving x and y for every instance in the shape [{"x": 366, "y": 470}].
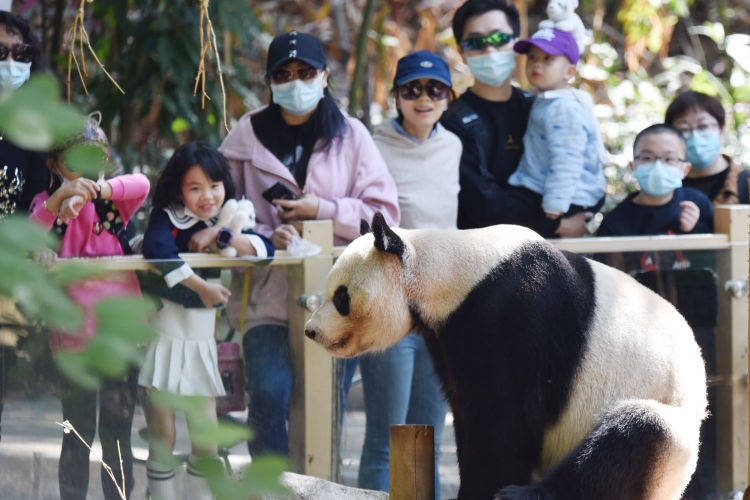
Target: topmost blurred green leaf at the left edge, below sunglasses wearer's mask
[{"x": 34, "y": 117}]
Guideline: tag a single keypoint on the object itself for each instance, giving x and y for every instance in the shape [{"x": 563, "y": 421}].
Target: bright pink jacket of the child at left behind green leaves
[{"x": 81, "y": 240}]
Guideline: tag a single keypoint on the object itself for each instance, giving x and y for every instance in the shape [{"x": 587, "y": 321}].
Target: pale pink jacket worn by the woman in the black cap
[{"x": 351, "y": 180}]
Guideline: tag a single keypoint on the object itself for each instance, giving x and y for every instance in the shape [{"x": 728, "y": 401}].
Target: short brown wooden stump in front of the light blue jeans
[{"x": 412, "y": 462}]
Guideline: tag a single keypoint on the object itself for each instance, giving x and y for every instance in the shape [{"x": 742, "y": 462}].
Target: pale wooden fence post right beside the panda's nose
[{"x": 311, "y": 408}]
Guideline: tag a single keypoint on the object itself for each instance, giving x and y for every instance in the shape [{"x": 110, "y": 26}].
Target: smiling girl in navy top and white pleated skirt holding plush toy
[{"x": 188, "y": 197}]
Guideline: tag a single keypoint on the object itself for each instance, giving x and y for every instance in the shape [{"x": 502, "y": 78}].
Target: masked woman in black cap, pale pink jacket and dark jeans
[{"x": 298, "y": 158}]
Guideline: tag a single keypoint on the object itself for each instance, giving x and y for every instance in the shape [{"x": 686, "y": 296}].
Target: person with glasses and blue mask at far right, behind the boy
[{"x": 700, "y": 119}]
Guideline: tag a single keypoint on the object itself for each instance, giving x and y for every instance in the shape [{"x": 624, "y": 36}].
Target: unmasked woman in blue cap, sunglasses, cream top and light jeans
[{"x": 400, "y": 384}]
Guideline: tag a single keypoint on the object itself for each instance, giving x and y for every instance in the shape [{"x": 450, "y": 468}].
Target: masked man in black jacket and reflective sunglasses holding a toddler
[{"x": 490, "y": 118}]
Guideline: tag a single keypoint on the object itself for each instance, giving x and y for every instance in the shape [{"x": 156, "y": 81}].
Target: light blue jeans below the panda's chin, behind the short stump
[{"x": 400, "y": 387}]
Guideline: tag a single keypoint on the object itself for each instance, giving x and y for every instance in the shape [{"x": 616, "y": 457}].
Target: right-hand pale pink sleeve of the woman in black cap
[{"x": 373, "y": 189}]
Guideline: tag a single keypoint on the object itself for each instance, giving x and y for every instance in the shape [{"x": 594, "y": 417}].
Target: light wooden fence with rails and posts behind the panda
[{"x": 314, "y": 407}]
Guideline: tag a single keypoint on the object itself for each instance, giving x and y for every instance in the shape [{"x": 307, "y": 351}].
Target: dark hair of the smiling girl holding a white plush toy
[{"x": 168, "y": 189}]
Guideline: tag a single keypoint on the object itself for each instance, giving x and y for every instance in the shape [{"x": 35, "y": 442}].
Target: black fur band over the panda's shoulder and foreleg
[{"x": 507, "y": 357}]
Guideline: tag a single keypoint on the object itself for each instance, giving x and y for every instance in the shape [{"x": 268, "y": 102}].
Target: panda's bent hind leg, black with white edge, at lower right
[{"x": 640, "y": 449}]
